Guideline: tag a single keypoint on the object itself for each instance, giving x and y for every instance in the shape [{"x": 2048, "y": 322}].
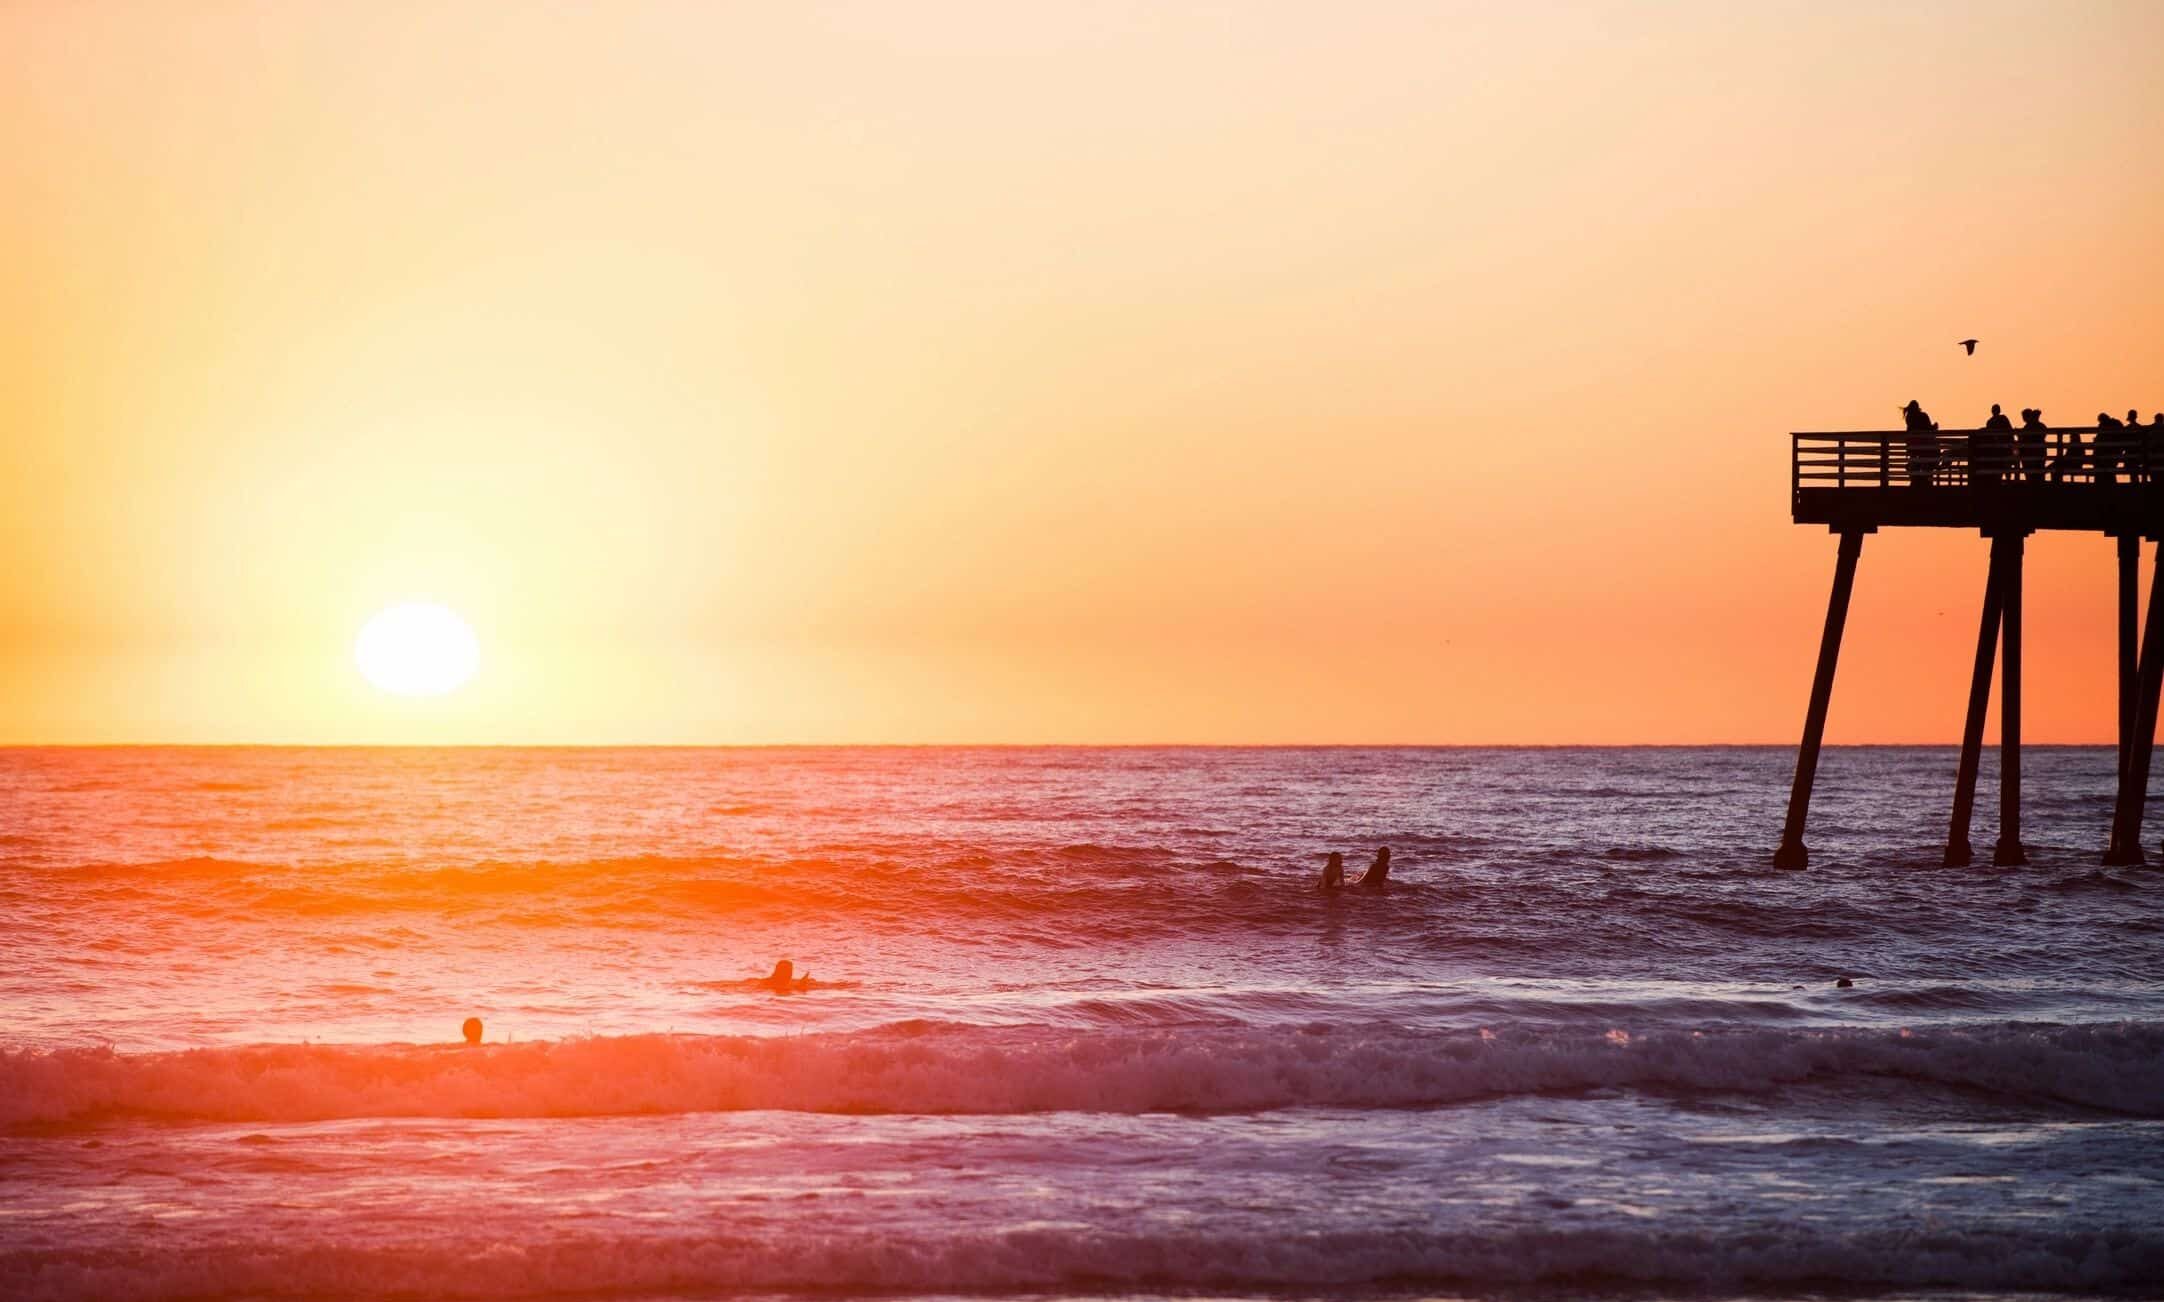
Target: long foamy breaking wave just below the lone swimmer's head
[{"x": 955, "y": 1069}]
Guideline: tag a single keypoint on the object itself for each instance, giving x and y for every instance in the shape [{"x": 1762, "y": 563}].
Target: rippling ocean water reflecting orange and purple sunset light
[{"x": 1081, "y": 1026}]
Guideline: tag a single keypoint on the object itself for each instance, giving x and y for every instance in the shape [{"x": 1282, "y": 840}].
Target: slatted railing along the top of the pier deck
[{"x": 1964, "y": 460}]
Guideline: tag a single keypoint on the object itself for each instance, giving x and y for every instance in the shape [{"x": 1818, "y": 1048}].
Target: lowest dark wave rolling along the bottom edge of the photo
[{"x": 828, "y": 1258}]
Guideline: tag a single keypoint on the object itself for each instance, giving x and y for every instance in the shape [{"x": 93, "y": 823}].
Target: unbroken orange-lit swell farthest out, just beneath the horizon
[{"x": 1072, "y": 888}]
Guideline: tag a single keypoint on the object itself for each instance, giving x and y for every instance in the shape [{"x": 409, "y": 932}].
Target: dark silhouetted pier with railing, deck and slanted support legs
[{"x": 2007, "y": 488}]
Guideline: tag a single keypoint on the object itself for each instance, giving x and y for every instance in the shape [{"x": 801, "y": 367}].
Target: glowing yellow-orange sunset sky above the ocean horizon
[{"x": 1044, "y": 373}]
